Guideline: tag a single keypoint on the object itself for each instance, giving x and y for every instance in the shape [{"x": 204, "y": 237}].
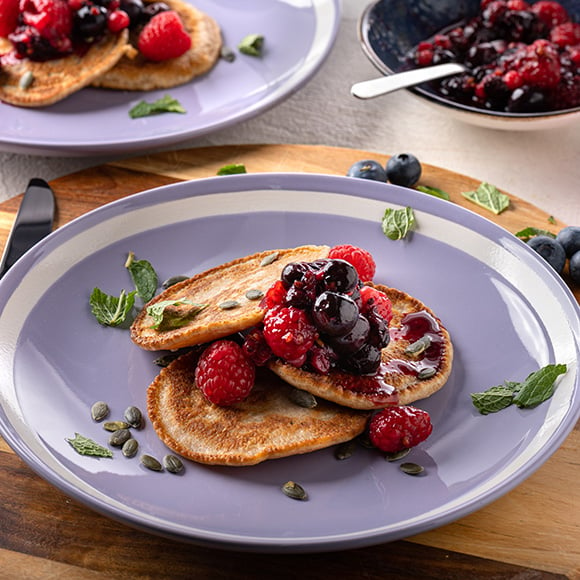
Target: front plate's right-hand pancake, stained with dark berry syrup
[{"x": 403, "y": 384}]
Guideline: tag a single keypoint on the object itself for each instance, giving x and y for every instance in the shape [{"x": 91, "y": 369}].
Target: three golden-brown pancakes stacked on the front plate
[{"x": 269, "y": 423}]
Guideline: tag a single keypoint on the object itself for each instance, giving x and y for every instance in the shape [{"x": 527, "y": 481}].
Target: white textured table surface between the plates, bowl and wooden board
[{"x": 542, "y": 167}]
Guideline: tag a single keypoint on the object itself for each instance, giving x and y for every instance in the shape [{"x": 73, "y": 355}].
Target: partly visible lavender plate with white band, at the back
[{"x": 298, "y": 38}]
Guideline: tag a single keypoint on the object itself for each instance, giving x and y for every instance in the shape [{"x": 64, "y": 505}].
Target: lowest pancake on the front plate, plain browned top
[{"x": 266, "y": 425}]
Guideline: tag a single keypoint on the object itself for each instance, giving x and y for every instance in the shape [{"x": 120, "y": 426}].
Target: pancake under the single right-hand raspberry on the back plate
[{"x": 133, "y": 72}]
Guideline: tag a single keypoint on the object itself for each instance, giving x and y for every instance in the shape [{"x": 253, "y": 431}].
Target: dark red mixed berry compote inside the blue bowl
[{"x": 521, "y": 58}]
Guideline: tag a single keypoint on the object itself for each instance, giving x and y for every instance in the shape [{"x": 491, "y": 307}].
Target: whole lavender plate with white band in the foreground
[{"x": 506, "y": 310}]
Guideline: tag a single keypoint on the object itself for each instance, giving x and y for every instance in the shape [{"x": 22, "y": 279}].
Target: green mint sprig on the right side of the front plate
[{"x": 538, "y": 387}]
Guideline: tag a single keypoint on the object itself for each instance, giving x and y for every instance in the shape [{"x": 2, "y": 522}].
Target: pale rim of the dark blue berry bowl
[{"x": 437, "y": 99}]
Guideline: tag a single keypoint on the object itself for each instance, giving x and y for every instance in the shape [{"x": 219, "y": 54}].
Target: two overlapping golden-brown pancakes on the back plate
[{"x": 112, "y": 62}]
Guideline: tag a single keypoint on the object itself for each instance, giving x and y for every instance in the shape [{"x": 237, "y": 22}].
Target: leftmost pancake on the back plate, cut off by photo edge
[{"x": 56, "y": 79}]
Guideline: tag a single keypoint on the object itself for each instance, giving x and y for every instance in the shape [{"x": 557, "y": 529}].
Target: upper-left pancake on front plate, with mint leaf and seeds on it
[{"x": 213, "y": 287}]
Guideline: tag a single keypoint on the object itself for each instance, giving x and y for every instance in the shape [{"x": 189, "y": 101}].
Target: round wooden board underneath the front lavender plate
[{"x": 535, "y": 527}]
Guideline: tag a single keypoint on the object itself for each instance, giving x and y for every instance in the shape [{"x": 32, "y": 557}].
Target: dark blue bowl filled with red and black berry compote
[{"x": 522, "y": 58}]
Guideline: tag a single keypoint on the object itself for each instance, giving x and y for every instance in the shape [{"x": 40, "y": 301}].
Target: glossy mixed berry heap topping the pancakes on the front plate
[{"x": 316, "y": 319}]
